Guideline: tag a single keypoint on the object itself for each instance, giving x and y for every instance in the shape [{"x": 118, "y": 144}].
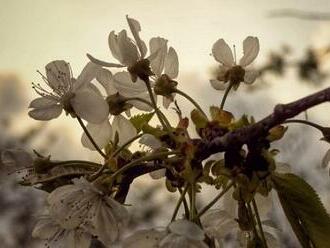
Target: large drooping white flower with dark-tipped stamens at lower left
[{"x": 83, "y": 205}]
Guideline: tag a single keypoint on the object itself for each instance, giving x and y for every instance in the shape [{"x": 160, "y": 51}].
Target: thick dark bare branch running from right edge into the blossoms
[{"x": 249, "y": 133}]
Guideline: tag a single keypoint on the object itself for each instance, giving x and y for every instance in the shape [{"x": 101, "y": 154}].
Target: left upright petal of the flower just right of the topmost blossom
[{"x": 158, "y": 45}]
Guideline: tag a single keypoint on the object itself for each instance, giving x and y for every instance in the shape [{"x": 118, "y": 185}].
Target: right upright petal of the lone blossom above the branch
[{"x": 250, "y": 50}]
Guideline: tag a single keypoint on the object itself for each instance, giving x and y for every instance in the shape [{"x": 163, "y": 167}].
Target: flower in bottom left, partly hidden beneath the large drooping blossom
[{"x": 48, "y": 229}]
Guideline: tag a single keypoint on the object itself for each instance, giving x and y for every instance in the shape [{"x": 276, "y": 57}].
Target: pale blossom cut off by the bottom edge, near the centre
[{"x": 179, "y": 234}]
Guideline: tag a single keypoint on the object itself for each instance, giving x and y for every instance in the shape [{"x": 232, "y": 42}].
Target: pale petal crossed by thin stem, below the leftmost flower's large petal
[{"x": 101, "y": 134}]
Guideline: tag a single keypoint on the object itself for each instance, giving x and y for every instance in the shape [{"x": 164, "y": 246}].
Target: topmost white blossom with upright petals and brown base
[{"x": 130, "y": 54}]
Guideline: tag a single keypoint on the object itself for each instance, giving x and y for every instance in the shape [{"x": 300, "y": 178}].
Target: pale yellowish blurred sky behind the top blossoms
[{"x": 35, "y": 32}]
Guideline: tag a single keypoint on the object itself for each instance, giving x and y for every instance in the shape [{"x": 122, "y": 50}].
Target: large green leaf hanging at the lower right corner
[{"x": 304, "y": 210}]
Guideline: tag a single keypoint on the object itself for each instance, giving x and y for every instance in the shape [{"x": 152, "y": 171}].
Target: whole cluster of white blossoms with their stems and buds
[{"x": 86, "y": 200}]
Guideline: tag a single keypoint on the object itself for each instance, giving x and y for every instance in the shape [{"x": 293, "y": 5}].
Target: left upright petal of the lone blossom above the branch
[{"x": 222, "y": 53}]
